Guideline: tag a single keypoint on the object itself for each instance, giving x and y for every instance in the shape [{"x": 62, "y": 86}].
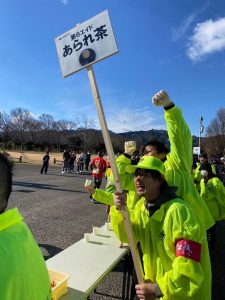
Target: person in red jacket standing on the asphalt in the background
[{"x": 98, "y": 167}]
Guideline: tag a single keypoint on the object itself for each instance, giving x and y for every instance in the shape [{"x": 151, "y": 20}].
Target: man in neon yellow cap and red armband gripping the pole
[{"x": 174, "y": 244}]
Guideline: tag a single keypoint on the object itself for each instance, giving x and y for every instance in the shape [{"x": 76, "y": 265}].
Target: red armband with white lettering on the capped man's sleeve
[{"x": 189, "y": 249}]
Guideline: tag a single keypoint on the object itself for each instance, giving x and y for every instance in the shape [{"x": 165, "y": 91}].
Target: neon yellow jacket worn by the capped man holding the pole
[{"x": 178, "y": 277}]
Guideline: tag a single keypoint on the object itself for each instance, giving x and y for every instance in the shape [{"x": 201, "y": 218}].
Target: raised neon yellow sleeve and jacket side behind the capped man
[{"x": 179, "y": 164}]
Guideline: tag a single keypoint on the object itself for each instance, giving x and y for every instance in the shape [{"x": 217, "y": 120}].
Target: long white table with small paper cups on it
[{"x": 88, "y": 264}]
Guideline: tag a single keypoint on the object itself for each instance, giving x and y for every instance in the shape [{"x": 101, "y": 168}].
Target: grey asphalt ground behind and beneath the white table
[{"x": 58, "y": 212}]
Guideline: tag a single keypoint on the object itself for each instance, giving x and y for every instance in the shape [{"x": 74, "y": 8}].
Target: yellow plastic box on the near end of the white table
[{"x": 61, "y": 281}]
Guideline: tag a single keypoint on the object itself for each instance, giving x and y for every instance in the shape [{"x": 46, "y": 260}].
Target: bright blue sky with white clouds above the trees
[{"x": 175, "y": 45}]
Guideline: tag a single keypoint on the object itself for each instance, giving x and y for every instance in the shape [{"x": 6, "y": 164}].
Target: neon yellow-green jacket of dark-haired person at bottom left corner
[{"x": 23, "y": 271}]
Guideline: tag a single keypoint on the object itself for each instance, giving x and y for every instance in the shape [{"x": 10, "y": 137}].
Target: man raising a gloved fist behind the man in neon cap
[{"x": 177, "y": 161}]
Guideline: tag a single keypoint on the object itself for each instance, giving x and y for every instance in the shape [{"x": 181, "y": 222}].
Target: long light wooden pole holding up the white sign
[{"x": 109, "y": 149}]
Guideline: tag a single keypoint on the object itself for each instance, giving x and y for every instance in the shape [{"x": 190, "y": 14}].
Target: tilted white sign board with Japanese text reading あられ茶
[{"x": 85, "y": 44}]
